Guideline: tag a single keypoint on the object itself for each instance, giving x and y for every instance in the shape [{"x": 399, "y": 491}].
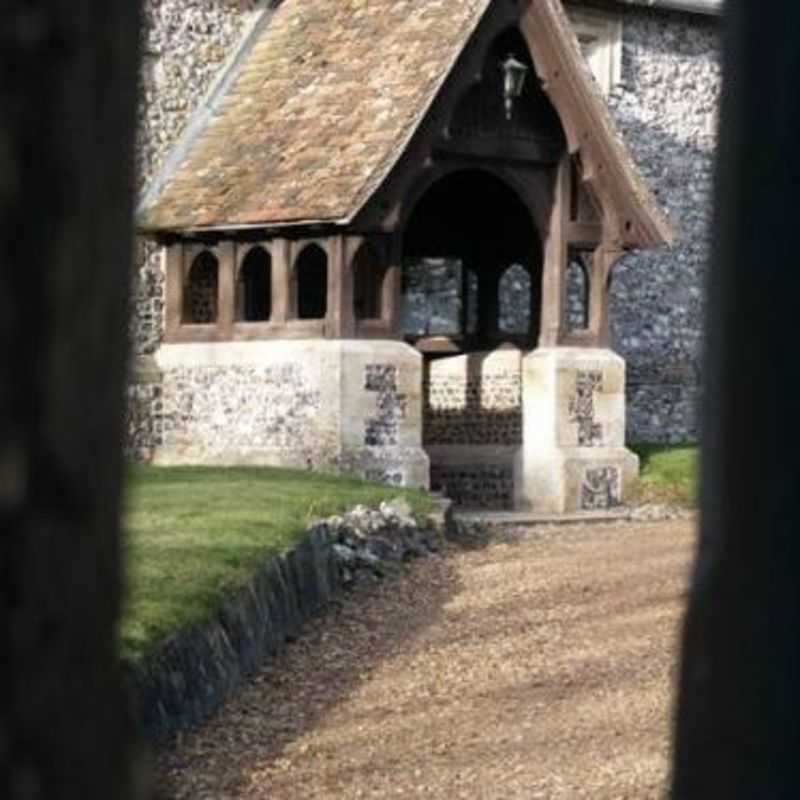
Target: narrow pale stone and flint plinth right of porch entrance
[{"x": 573, "y": 456}]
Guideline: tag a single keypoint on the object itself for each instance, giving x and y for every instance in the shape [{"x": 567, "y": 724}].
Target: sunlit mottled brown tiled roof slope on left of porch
[{"x": 314, "y": 113}]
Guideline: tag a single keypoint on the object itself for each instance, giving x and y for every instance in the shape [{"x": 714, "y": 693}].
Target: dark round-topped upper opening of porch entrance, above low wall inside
[{"x": 463, "y": 235}]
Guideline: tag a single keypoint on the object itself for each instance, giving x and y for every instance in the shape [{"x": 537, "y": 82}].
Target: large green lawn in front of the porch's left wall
[{"x": 194, "y": 534}]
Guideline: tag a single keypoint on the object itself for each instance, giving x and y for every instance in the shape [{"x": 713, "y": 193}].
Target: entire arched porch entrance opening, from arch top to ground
[{"x": 472, "y": 277}]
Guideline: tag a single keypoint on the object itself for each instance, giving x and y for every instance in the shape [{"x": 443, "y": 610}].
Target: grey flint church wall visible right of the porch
[{"x": 666, "y": 109}]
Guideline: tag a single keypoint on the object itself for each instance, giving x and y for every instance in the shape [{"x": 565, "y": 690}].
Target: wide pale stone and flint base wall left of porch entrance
[{"x": 352, "y": 406}]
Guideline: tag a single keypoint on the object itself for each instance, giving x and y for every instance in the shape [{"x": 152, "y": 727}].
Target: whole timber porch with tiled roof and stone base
[{"x": 388, "y": 240}]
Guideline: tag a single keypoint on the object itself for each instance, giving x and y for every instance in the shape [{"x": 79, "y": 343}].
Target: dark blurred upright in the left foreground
[{"x": 67, "y": 116}]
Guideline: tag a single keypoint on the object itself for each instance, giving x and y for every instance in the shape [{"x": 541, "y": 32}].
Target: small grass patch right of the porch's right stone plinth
[{"x": 669, "y": 474}]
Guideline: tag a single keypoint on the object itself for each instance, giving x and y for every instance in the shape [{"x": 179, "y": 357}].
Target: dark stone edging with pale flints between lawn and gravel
[{"x": 188, "y": 677}]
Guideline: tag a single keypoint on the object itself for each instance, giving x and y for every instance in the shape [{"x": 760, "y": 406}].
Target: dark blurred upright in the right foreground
[{"x": 738, "y": 732}]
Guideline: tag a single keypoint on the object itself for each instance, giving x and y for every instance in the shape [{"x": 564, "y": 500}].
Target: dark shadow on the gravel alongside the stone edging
[{"x": 294, "y": 693}]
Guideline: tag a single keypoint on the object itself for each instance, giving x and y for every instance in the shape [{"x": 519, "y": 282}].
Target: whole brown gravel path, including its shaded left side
[{"x": 538, "y": 665}]
